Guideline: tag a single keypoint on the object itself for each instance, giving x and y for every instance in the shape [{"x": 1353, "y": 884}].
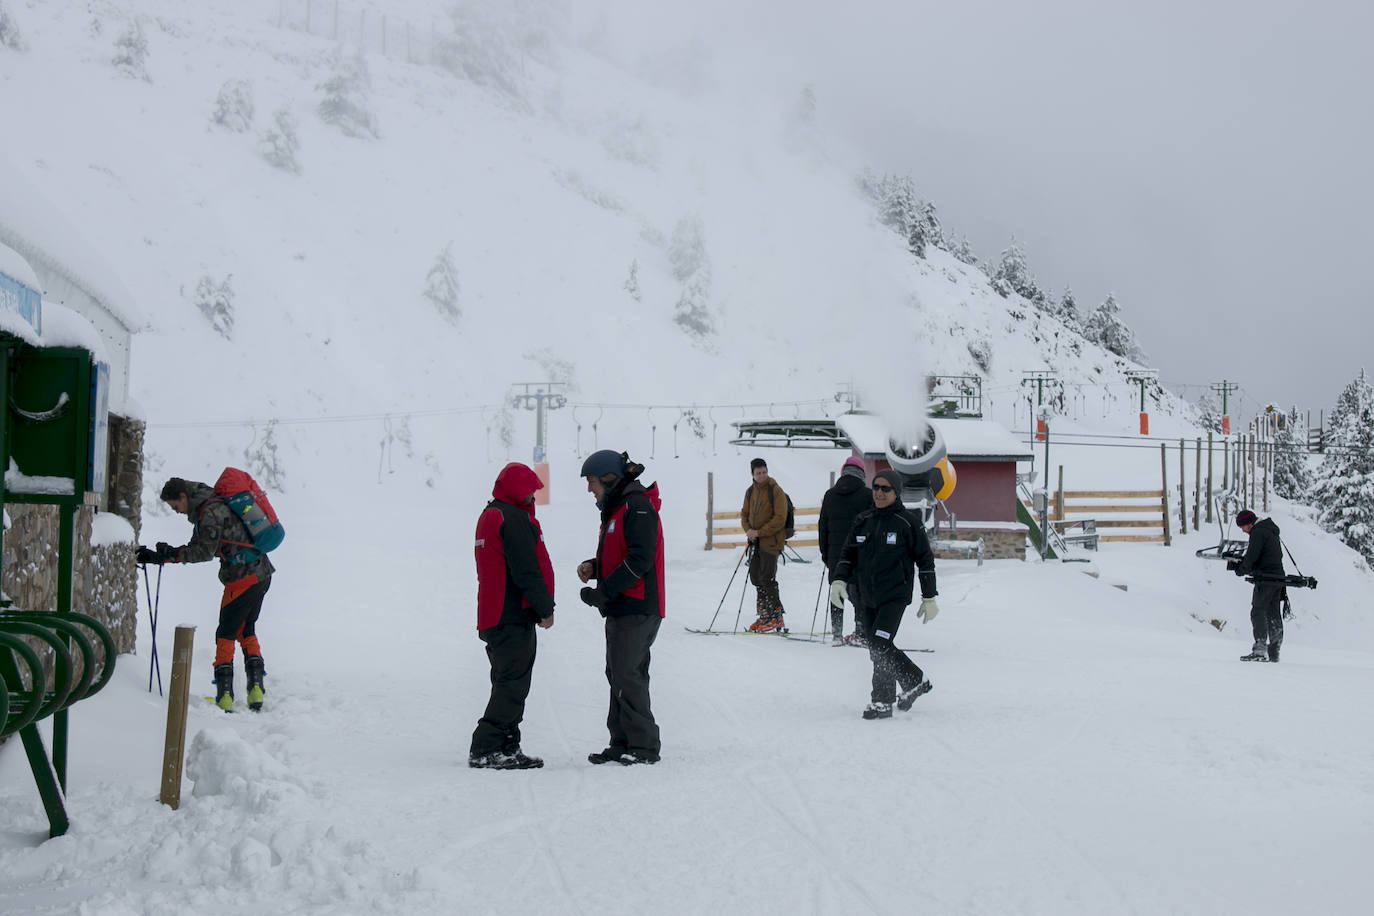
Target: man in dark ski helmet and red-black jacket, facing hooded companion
[{"x": 629, "y": 569}]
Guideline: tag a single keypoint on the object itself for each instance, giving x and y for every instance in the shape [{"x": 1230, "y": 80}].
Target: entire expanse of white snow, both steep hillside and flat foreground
[{"x": 1086, "y": 751}]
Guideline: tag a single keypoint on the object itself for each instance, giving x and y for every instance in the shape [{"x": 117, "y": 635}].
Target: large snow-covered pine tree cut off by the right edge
[{"x": 1343, "y": 485}]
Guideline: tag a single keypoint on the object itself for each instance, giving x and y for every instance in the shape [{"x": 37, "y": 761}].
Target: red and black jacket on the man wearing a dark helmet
[{"x": 630, "y": 553}]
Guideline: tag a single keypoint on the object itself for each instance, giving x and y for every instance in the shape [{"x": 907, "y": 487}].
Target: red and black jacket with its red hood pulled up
[{"x": 515, "y": 575}]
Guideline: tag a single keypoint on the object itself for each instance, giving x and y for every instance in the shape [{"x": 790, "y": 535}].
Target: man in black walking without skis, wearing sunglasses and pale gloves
[{"x": 886, "y": 549}]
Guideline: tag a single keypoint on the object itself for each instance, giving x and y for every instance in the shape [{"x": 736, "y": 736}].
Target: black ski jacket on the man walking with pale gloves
[{"x": 883, "y": 551}]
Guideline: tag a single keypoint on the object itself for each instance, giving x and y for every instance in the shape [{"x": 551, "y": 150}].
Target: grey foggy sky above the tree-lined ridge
[{"x": 1207, "y": 163}]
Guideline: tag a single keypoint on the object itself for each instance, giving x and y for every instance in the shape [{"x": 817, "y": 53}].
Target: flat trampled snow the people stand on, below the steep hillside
[{"x": 1090, "y": 748}]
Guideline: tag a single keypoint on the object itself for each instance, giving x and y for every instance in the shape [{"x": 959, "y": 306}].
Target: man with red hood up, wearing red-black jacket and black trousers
[{"x": 515, "y": 594}]
